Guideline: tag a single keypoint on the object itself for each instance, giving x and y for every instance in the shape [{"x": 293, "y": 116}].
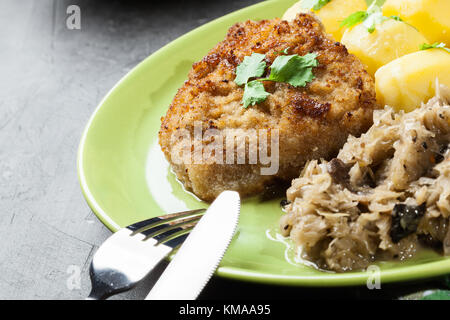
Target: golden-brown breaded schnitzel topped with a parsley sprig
[{"x": 311, "y": 122}]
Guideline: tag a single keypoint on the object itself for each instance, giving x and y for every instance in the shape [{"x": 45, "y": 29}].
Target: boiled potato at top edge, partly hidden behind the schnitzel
[{"x": 331, "y": 14}]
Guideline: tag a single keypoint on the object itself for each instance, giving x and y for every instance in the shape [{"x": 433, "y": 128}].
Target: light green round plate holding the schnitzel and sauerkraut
[{"x": 125, "y": 177}]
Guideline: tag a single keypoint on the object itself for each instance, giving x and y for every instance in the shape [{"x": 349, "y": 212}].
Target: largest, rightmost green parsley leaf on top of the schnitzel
[{"x": 294, "y": 69}]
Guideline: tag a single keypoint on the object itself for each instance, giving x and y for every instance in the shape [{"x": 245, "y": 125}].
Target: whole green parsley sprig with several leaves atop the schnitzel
[{"x": 293, "y": 69}]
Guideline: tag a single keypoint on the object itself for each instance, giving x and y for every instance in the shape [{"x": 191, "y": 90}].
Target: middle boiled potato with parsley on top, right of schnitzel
[{"x": 390, "y": 40}]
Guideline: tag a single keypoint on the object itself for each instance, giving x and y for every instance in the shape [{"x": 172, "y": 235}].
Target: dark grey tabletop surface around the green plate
[{"x": 51, "y": 80}]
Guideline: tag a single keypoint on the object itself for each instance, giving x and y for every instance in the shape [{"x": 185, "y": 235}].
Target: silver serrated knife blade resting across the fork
[{"x": 200, "y": 255}]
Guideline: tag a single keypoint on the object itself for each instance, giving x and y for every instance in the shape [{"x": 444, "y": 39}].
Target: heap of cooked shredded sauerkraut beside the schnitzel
[{"x": 384, "y": 195}]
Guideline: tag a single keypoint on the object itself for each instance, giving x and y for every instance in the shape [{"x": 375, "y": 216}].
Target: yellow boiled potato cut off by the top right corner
[{"x": 431, "y": 17}]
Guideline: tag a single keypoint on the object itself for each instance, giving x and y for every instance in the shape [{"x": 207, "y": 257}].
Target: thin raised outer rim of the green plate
[{"x": 435, "y": 268}]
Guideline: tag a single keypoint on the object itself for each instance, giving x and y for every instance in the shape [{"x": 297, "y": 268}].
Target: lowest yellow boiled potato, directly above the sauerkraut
[{"x": 410, "y": 80}]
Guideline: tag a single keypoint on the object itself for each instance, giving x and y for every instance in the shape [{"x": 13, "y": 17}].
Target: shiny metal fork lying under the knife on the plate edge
[{"x": 131, "y": 253}]
